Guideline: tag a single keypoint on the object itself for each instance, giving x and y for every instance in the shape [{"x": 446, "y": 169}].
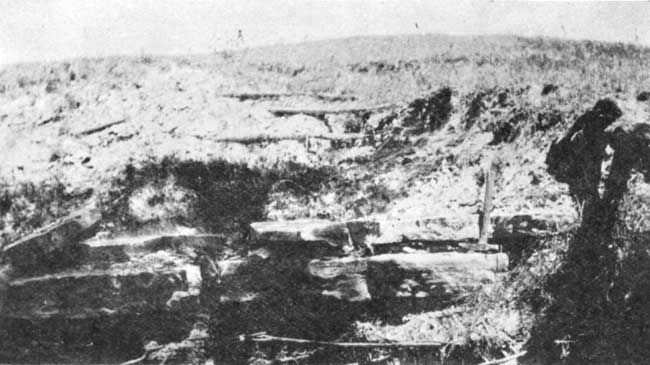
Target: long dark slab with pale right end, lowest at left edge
[{"x": 85, "y": 294}]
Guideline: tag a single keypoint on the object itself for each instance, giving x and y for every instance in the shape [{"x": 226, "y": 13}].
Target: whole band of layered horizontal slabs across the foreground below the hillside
[{"x": 314, "y": 268}]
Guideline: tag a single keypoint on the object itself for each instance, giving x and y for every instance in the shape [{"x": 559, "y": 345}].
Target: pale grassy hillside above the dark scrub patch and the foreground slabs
[{"x": 172, "y": 107}]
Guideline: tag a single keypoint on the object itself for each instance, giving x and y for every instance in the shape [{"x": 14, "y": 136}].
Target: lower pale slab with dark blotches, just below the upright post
[{"x": 442, "y": 275}]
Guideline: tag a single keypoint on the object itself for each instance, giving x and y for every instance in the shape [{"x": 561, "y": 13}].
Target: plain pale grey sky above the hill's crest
[{"x": 45, "y": 30}]
